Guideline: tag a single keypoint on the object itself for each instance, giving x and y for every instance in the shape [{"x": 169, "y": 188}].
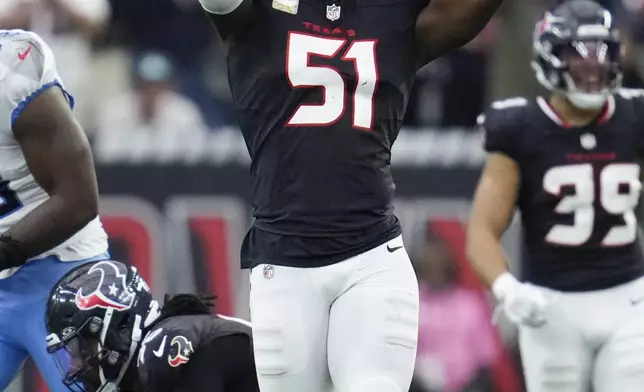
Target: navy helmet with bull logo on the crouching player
[{"x": 95, "y": 318}]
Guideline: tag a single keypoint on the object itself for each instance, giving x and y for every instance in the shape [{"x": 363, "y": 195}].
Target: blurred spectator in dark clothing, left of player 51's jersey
[{"x": 180, "y": 29}]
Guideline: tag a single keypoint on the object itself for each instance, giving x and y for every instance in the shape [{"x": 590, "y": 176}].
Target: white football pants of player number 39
[{"x": 591, "y": 338}]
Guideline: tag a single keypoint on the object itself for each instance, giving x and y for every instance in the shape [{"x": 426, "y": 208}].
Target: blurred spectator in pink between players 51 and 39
[{"x": 456, "y": 345}]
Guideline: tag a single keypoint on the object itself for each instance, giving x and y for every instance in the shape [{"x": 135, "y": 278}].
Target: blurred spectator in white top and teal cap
[{"x": 151, "y": 110}]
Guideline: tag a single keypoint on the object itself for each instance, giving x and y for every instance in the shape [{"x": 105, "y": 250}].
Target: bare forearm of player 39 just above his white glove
[{"x": 486, "y": 254}]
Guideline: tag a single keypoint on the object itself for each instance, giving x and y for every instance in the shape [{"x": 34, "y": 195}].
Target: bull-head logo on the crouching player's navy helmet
[{"x": 111, "y": 291}]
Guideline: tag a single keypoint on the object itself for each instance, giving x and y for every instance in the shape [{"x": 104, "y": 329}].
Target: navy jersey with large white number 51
[{"x": 320, "y": 90}]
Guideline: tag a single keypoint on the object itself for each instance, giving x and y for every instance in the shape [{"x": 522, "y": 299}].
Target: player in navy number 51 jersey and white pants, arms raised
[{"x": 320, "y": 89}]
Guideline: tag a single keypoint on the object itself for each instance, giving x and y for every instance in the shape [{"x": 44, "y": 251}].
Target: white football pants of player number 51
[{"x": 348, "y": 327}]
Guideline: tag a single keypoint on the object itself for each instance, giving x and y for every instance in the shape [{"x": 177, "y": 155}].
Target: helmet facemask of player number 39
[{"x": 584, "y": 66}]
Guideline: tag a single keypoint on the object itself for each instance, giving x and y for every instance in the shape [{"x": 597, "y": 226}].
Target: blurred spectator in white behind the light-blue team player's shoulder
[{"x": 68, "y": 26}]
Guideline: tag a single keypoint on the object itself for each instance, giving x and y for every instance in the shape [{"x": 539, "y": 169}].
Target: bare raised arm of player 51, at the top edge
[{"x": 445, "y": 25}]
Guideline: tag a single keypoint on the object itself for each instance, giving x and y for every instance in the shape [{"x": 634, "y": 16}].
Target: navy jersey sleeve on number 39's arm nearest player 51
[{"x": 500, "y": 128}]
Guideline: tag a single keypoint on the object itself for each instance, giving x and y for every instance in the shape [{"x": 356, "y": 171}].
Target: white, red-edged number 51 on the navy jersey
[{"x": 301, "y": 74}]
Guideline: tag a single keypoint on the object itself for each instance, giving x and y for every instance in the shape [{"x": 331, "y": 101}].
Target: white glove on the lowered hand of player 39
[{"x": 522, "y": 303}]
